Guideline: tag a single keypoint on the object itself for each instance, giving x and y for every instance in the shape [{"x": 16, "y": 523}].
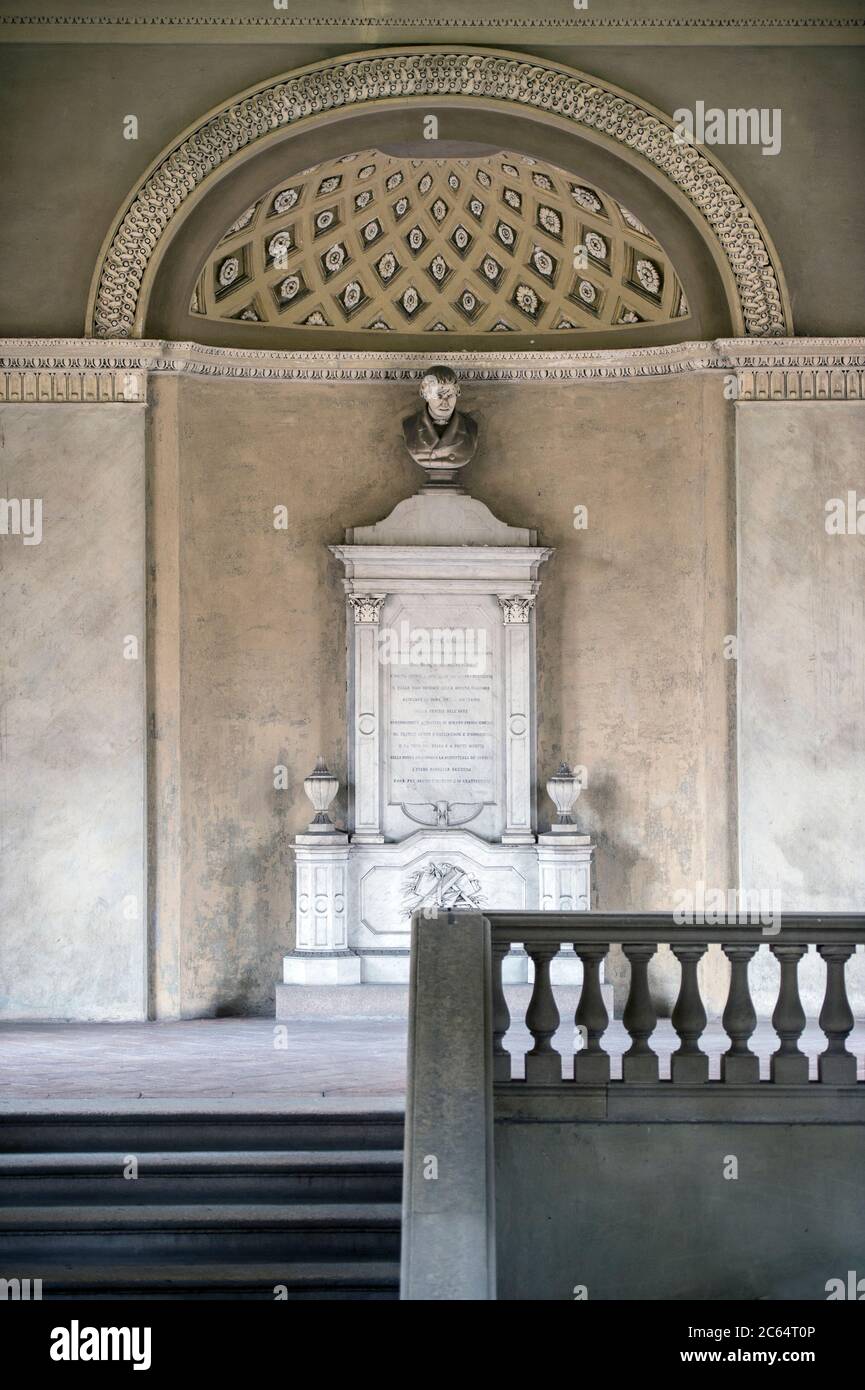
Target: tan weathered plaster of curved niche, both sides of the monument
[{"x": 631, "y": 639}]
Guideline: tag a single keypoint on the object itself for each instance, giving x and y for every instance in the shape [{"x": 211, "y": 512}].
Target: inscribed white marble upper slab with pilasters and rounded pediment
[{"x": 446, "y": 576}]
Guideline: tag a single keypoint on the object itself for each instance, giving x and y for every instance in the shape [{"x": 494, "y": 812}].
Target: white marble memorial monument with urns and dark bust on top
[{"x": 442, "y": 676}]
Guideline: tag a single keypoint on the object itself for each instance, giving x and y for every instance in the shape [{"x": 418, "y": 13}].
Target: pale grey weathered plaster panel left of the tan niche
[{"x": 73, "y": 940}]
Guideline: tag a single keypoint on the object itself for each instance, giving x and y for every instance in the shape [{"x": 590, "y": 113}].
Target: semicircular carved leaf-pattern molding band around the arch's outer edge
[{"x": 180, "y": 176}]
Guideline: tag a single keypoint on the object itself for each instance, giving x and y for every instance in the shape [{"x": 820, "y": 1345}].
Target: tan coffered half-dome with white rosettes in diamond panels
[{"x": 469, "y": 247}]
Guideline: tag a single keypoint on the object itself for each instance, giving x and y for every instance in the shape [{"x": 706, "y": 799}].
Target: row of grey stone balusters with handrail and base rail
[{"x": 835, "y": 936}]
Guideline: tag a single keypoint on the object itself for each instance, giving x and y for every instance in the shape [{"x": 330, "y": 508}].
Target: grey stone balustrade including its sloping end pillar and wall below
[{"x": 472, "y": 1125}]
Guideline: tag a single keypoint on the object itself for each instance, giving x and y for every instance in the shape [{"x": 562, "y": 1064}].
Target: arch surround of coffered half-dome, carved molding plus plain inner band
[{"x": 179, "y": 212}]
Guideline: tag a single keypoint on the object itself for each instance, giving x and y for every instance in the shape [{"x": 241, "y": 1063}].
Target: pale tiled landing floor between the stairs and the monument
[{"x": 255, "y": 1058}]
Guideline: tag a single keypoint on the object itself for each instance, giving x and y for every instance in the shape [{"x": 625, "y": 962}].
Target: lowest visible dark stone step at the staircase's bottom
[{"x": 348, "y": 1279}]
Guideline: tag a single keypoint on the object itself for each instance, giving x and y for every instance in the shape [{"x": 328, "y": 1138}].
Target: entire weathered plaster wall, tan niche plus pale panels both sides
[{"x": 245, "y": 662}]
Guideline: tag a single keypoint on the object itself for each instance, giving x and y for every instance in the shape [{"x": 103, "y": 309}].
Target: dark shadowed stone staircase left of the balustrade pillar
[{"x": 229, "y": 1203}]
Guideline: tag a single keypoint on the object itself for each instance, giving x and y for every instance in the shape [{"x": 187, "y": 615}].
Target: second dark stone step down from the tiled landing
[{"x": 208, "y": 1177}]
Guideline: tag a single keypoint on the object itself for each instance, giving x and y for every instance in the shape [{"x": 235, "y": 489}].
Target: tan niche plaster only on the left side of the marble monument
[{"x": 257, "y": 676}]
